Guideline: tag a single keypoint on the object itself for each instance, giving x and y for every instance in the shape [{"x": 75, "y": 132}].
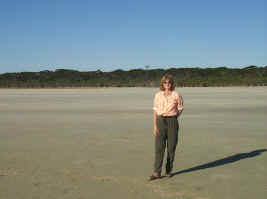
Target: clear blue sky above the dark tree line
[{"x": 88, "y": 35}]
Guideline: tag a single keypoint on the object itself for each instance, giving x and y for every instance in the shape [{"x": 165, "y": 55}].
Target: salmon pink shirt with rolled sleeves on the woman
[{"x": 168, "y": 105}]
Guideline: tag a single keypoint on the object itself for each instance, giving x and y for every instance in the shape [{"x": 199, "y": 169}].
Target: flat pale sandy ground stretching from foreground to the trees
[{"x": 98, "y": 143}]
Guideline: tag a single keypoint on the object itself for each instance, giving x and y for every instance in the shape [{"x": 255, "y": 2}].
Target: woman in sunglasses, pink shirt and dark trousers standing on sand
[{"x": 168, "y": 105}]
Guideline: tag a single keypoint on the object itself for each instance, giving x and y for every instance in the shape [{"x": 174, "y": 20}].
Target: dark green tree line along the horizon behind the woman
[{"x": 184, "y": 77}]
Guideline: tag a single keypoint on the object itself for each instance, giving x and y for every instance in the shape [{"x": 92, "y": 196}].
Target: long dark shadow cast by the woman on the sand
[{"x": 223, "y": 161}]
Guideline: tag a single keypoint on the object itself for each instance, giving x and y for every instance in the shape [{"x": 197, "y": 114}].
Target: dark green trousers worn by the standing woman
[{"x": 168, "y": 135}]
